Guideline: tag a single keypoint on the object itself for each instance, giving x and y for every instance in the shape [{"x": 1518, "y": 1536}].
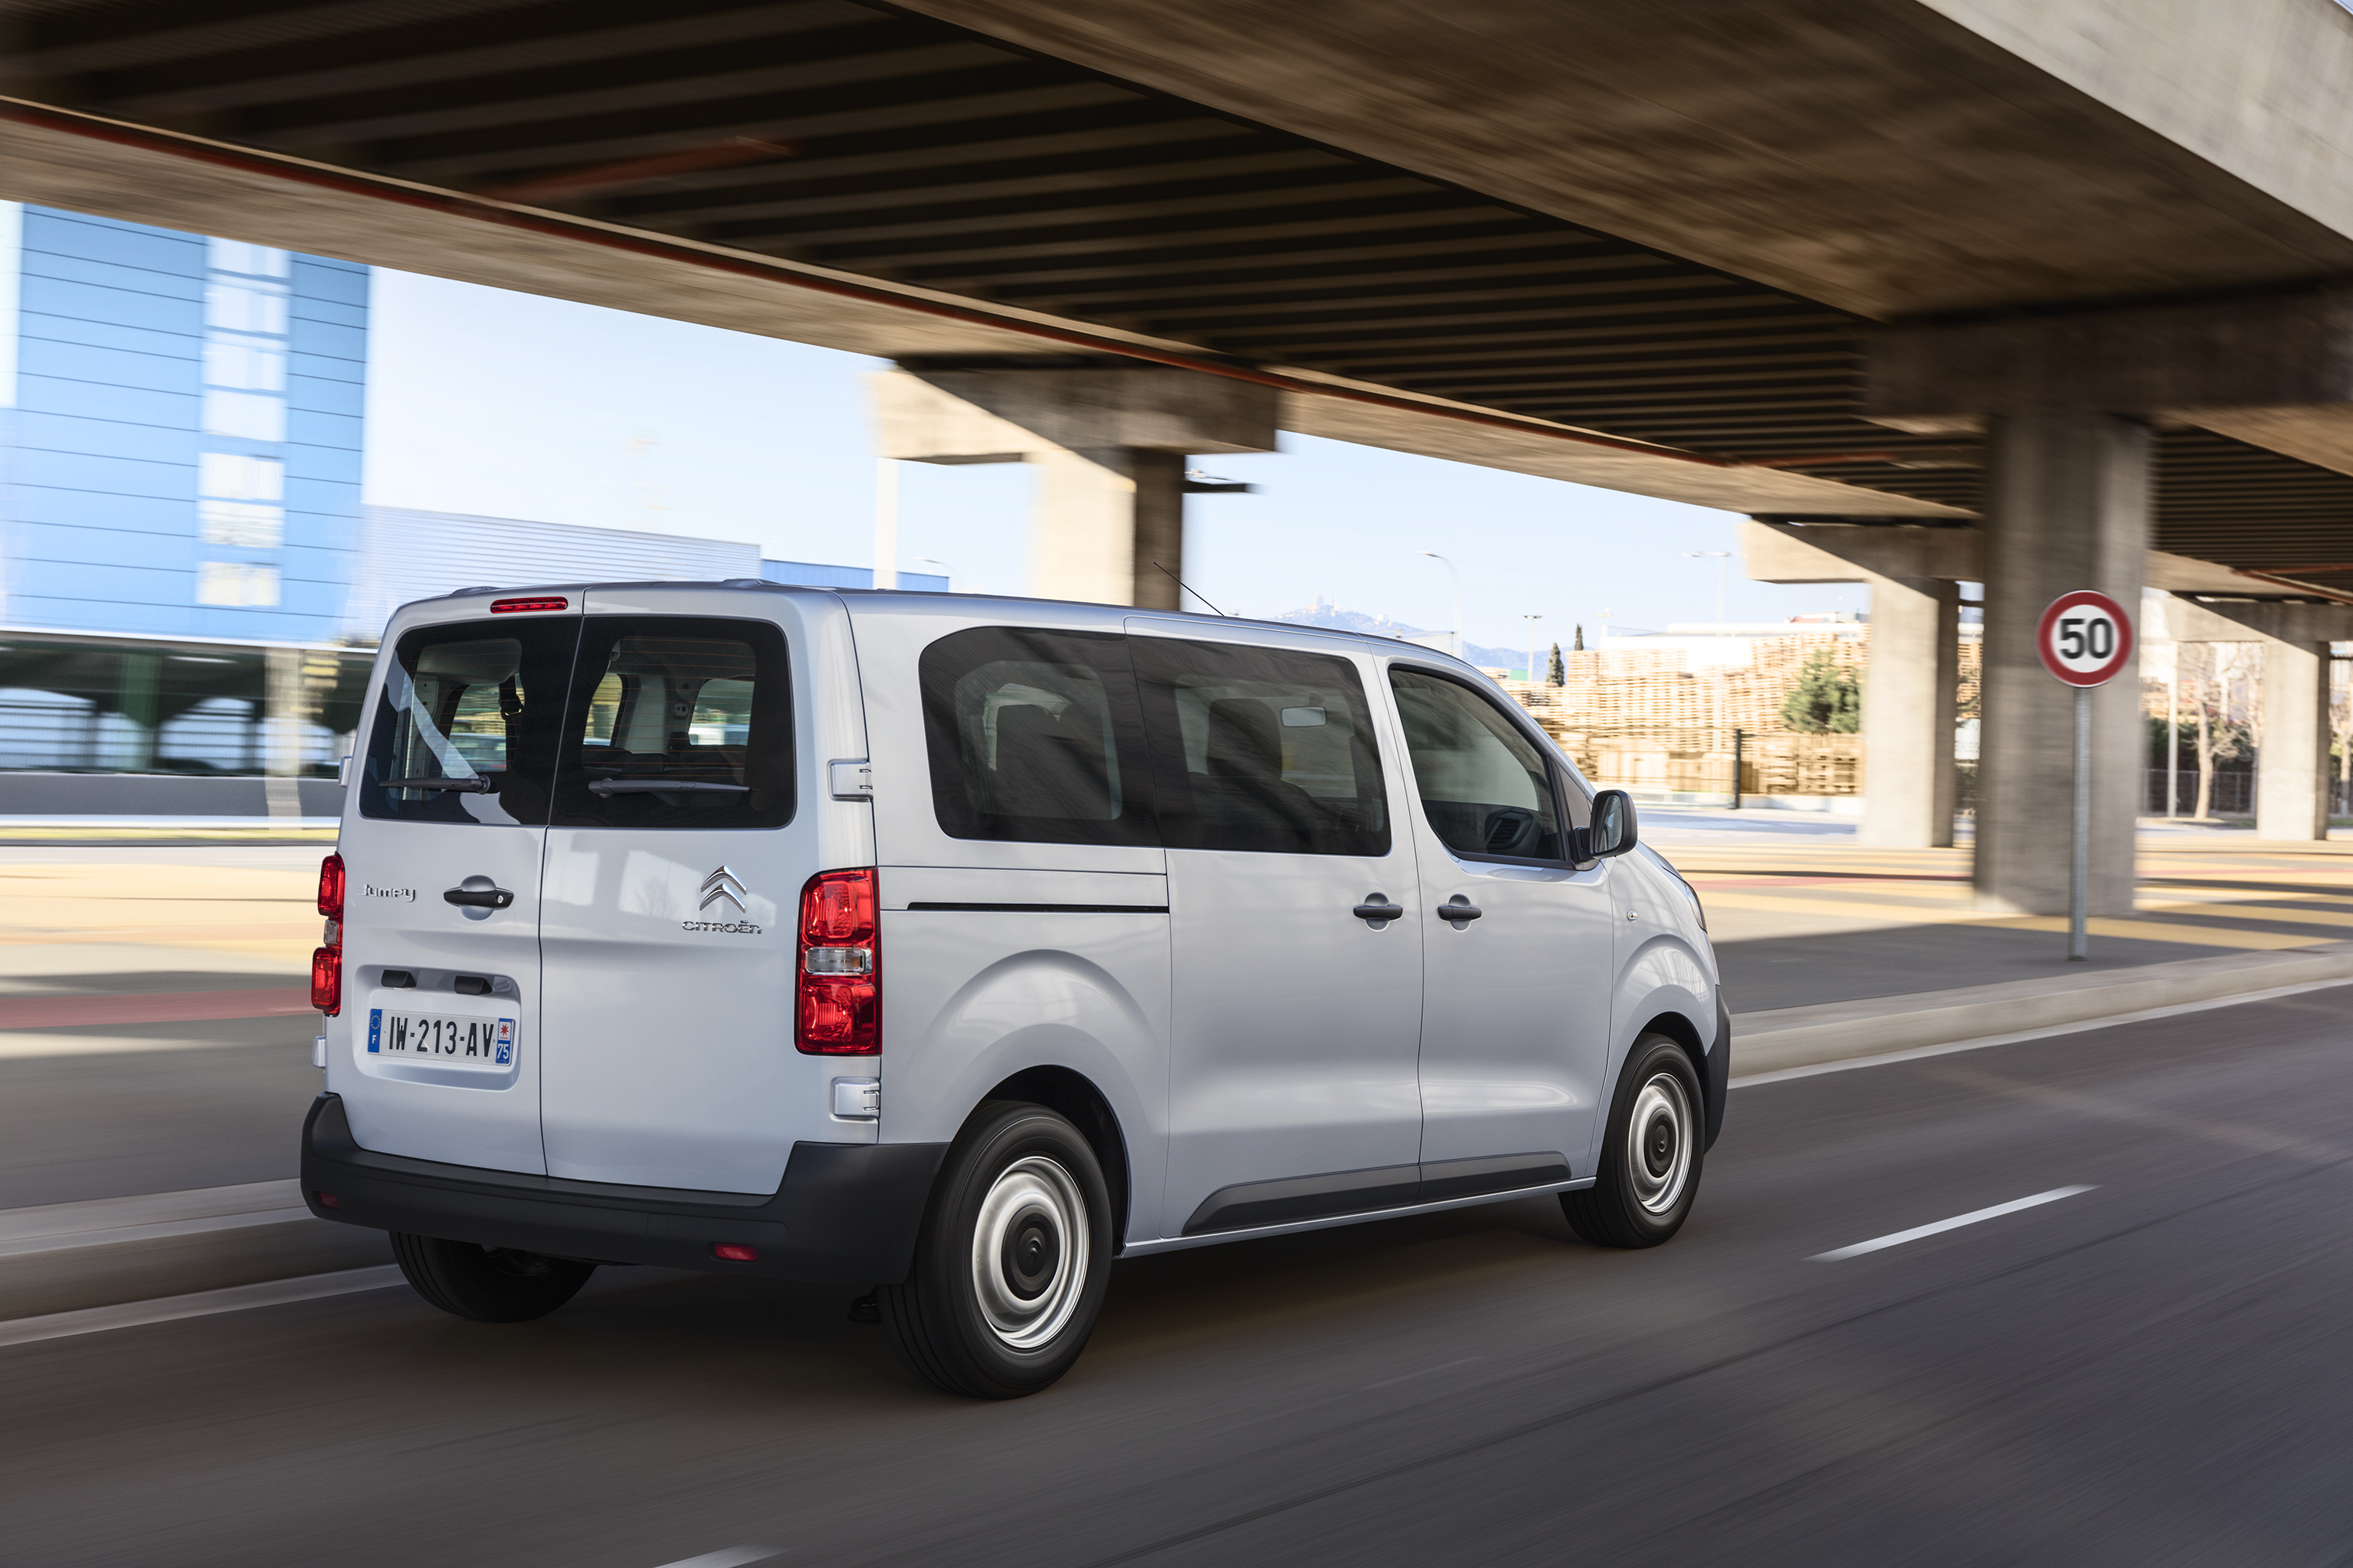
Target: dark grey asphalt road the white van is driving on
[{"x": 2152, "y": 1372}]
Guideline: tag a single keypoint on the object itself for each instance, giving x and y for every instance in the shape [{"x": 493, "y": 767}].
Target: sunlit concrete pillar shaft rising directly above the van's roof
[{"x": 1105, "y": 518}]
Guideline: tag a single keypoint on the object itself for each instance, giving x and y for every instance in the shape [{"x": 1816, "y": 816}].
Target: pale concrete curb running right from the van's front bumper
[{"x": 1877, "y": 1026}]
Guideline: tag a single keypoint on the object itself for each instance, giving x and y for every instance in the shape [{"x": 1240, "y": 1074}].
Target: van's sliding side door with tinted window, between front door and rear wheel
[{"x": 1295, "y": 1005}]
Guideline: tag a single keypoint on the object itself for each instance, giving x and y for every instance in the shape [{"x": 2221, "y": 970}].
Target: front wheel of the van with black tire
[{"x": 1651, "y": 1153}]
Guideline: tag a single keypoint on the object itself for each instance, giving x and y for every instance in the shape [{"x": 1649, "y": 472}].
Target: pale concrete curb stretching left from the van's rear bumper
[{"x": 107, "y": 1252}]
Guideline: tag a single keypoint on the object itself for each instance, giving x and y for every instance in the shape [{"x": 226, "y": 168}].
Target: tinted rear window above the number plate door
[{"x": 467, "y": 725}]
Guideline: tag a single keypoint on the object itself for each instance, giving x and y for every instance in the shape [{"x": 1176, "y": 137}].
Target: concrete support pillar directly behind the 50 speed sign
[{"x": 2067, "y": 509}]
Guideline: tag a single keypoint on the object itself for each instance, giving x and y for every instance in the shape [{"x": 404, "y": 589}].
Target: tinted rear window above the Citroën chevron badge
[{"x": 681, "y": 723}]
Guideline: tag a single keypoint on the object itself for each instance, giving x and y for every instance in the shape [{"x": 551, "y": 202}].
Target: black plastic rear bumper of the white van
[{"x": 844, "y": 1214}]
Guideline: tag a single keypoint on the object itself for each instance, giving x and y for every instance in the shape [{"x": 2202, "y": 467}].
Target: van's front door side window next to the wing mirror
[{"x": 1484, "y": 784}]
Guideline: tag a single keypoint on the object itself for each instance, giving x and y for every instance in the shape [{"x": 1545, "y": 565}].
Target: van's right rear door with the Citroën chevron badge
[{"x": 672, "y": 899}]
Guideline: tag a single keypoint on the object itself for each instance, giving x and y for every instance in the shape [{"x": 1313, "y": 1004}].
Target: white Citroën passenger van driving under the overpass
[{"x": 959, "y": 946}]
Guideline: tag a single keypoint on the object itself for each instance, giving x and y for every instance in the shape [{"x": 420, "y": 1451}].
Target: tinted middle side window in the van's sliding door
[{"x": 1260, "y": 749}]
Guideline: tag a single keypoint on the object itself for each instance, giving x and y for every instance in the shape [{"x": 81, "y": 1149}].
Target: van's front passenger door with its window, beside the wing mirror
[{"x": 1517, "y": 991}]
